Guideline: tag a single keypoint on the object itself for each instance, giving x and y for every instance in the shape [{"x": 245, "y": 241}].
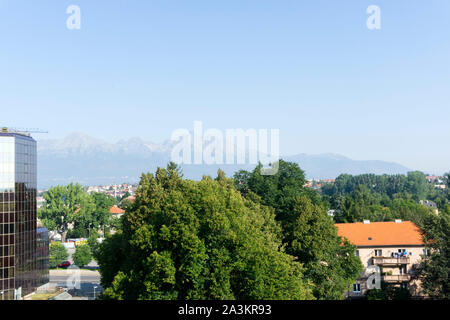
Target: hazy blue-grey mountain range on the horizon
[{"x": 90, "y": 161}]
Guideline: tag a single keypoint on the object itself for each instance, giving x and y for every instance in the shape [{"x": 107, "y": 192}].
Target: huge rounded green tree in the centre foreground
[{"x": 197, "y": 240}]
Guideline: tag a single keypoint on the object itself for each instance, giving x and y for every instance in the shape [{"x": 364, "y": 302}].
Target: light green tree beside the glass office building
[{"x": 66, "y": 205}]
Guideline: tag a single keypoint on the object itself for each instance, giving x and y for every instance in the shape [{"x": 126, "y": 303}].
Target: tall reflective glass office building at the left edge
[{"x": 19, "y": 275}]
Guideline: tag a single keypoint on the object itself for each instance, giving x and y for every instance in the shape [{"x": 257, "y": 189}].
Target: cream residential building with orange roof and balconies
[{"x": 391, "y": 250}]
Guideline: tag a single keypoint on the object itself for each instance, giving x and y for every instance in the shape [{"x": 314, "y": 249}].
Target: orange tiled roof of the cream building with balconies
[{"x": 381, "y": 233}]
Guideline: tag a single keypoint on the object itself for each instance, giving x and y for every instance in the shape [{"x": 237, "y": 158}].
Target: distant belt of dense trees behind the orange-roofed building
[{"x": 383, "y": 197}]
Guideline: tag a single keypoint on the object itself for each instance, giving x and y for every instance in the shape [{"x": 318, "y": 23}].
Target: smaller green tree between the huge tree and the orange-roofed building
[{"x": 329, "y": 261}]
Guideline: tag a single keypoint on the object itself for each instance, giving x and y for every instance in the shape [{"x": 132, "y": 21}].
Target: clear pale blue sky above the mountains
[{"x": 309, "y": 68}]
